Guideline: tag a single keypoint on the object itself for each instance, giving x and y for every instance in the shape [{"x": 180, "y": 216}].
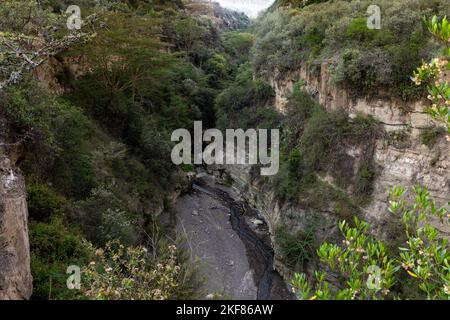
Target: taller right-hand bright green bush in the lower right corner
[{"x": 426, "y": 255}]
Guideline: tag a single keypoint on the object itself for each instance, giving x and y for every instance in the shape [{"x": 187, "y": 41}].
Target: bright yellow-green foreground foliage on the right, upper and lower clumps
[{"x": 416, "y": 264}]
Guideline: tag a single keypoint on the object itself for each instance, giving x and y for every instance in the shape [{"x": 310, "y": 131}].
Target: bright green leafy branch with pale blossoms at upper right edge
[{"x": 433, "y": 73}]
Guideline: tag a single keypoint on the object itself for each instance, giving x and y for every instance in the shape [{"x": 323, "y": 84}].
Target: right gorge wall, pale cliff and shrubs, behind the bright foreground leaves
[{"x": 353, "y": 123}]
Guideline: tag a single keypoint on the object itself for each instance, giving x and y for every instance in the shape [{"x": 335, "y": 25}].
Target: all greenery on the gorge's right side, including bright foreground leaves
[{"x": 316, "y": 172}]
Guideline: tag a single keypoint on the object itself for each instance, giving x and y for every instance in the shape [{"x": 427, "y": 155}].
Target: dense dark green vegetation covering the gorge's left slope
[{"x": 97, "y": 157}]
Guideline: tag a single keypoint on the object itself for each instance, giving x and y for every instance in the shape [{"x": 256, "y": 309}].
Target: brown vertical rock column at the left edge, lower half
[{"x": 15, "y": 273}]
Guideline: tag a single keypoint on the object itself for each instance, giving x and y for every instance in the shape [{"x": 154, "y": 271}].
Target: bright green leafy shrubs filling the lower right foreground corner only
[{"x": 362, "y": 267}]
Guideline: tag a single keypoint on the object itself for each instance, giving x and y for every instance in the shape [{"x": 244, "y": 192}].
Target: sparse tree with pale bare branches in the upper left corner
[{"x": 29, "y": 34}]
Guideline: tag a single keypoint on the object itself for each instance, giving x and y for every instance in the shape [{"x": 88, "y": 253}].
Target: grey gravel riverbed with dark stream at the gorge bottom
[{"x": 235, "y": 256}]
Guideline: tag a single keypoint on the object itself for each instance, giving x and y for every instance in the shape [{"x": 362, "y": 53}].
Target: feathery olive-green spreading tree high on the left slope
[{"x": 127, "y": 56}]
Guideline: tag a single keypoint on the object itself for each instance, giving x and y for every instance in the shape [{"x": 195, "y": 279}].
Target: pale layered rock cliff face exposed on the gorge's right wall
[{"x": 402, "y": 161}]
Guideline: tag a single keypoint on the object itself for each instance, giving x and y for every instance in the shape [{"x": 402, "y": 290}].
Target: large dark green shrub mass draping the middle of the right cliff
[{"x": 314, "y": 143}]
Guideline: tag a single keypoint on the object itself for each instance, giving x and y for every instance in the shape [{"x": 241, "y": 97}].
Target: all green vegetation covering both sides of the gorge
[{"x": 97, "y": 142}]
